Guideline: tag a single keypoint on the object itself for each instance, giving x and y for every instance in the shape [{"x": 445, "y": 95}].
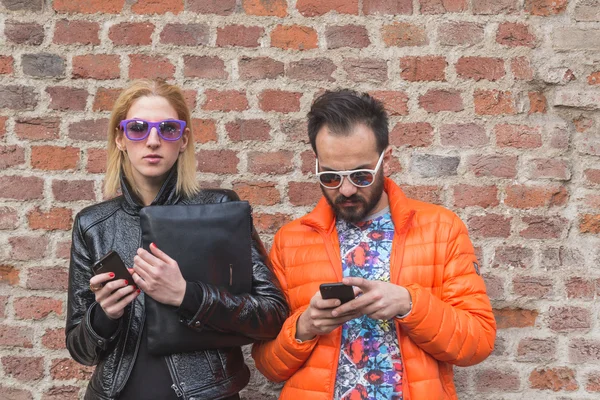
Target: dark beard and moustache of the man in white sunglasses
[{"x": 363, "y": 206}]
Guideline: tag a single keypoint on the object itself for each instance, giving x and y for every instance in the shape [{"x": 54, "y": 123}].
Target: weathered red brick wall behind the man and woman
[{"x": 494, "y": 114}]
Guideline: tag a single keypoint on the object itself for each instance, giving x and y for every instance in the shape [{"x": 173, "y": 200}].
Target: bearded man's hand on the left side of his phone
[{"x": 318, "y": 320}]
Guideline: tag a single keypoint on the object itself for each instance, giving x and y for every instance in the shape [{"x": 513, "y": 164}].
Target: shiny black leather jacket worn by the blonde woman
[{"x": 208, "y": 374}]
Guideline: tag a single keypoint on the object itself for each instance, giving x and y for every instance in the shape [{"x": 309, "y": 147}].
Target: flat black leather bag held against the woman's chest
[{"x": 212, "y": 244}]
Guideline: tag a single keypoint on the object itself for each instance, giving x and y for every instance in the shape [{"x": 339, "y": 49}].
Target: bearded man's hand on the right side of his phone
[{"x": 379, "y": 300}]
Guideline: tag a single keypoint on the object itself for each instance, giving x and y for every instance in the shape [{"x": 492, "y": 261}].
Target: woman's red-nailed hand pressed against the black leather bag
[{"x": 159, "y": 276}]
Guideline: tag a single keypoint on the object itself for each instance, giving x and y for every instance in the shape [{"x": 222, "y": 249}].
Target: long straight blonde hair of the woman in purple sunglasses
[{"x": 118, "y": 161}]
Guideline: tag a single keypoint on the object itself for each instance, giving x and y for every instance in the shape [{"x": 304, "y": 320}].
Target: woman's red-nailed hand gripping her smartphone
[{"x": 113, "y": 296}]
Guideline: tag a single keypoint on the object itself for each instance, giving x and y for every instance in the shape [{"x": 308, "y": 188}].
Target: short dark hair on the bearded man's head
[{"x": 342, "y": 109}]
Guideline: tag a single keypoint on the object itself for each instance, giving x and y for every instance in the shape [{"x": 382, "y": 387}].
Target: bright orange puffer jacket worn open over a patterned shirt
[{"x": 451, "y": 322}]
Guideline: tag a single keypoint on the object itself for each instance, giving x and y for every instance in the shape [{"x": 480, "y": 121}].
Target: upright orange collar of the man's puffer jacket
[{"x": 322, "y": 217}]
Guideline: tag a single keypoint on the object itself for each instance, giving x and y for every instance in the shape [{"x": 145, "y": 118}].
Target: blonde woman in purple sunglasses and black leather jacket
[{"x": 151, "y": 158}]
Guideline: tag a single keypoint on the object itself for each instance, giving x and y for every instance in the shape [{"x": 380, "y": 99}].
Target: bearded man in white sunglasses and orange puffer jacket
[{"x": 421, "y": 306}]
